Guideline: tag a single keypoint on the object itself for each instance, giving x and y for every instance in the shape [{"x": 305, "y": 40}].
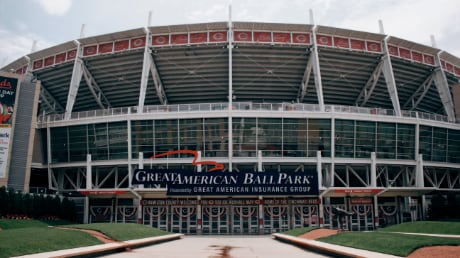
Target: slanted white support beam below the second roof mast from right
[{"x": 390, "y": 79}]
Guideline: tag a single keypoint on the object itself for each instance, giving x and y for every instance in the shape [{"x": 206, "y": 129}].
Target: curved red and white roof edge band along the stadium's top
[{"x": 185, "y": 28}]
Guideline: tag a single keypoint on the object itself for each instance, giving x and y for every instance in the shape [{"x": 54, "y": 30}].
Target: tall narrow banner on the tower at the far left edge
[{"x": 7, "y": 100}]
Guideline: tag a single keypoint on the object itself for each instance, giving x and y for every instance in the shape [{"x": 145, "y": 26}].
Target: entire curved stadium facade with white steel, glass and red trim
[{"x": 222, "y": 128}]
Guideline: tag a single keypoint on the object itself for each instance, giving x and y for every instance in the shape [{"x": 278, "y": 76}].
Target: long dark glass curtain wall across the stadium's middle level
[{"x": 275, "y": 137}]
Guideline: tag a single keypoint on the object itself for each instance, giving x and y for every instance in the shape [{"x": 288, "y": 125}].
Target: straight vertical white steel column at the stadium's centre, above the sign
[{"x": 230, "y": 89}]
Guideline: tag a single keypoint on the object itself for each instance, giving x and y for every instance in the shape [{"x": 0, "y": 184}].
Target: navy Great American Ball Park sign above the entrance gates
[{"x": 186, "y": 182}]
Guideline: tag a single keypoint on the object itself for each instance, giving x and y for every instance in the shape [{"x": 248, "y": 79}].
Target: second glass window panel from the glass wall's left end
[{"x": 78, "y": 143}]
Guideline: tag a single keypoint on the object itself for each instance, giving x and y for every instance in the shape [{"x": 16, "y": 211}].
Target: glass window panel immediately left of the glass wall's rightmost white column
[{"x": 406, "y": 141}]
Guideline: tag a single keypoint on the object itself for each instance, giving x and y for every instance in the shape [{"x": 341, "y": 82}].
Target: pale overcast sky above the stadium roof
[{"x": 51, "y": 22}]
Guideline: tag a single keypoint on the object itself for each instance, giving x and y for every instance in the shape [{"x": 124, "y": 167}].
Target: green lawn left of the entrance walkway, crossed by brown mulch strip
[{"x": 21, "y": 237}]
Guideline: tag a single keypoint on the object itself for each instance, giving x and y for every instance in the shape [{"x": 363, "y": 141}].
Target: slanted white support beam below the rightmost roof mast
[{"x": 440, "y": 81}]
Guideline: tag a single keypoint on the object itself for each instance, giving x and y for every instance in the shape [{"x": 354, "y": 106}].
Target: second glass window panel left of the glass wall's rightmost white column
[{"x": 386, "y": 140}]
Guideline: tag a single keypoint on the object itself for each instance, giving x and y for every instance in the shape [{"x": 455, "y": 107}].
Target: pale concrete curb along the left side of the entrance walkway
[{"x": 97, "y": 250}]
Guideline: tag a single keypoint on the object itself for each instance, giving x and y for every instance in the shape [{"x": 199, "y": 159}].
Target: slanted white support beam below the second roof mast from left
[{"x": 77, "y": 73}]
